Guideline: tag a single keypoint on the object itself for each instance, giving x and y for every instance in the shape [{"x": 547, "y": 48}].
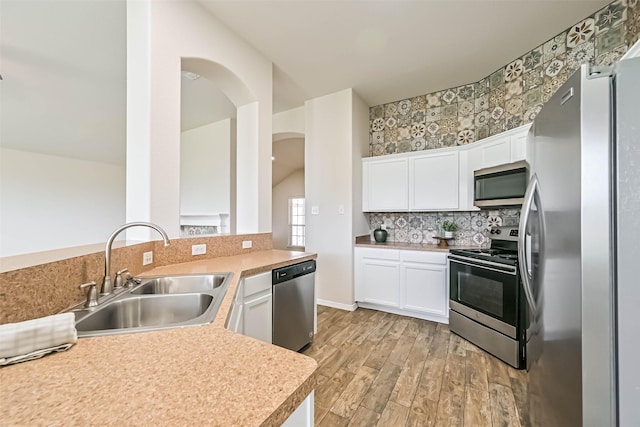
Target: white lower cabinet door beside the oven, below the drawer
[{"x": 425, "y": 288}]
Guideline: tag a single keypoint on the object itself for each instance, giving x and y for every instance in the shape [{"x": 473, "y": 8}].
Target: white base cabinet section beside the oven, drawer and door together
[{"x": 423, "y": 278}]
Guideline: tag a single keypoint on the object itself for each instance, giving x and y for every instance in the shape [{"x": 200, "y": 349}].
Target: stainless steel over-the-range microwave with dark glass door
[{"x": 500, "y": 186}]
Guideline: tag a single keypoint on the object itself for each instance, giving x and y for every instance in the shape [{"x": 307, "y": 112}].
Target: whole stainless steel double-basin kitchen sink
[{"x": 160, "y": 302}]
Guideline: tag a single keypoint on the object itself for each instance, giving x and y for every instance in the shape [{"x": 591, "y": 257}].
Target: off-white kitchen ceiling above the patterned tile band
[{"x": 390, "y": 50}]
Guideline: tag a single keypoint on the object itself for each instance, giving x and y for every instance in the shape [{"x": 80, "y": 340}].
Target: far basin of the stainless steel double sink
[{"x": 180, "y": 284}]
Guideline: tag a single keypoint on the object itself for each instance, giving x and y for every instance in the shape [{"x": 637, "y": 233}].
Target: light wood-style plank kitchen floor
[{"x": 378, "y": 368}]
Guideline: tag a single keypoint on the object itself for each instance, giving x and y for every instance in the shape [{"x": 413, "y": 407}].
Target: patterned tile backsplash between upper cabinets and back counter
[{"x": 420, "y": 227}]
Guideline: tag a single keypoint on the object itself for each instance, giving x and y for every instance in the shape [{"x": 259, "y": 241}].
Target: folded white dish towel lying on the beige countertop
[{"x": 35, "y": 338}]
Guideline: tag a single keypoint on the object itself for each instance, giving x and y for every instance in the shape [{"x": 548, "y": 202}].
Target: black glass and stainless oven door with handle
[{"x": 486, "y": 292}]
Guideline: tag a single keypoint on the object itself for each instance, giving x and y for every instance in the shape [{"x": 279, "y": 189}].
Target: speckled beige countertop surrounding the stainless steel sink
[{"x": 197, "y": 375}]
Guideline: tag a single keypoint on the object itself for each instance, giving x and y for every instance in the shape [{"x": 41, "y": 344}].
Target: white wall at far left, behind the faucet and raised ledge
[{"x": 50, "y": 202}]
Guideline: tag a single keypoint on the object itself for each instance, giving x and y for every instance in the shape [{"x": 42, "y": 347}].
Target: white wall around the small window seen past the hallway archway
[{"x": 291, "y": 186}]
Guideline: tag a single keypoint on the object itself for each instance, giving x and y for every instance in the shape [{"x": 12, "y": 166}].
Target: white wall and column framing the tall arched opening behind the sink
[{"x": 160, "y": 34}]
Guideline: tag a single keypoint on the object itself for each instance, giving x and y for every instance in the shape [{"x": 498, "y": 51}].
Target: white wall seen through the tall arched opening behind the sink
[{"x": 205, "y": 169}]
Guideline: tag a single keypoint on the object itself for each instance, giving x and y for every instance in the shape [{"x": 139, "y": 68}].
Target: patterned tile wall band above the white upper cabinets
[{"x": 509, "y": 97}]
